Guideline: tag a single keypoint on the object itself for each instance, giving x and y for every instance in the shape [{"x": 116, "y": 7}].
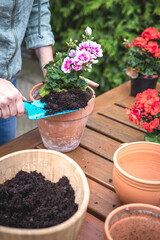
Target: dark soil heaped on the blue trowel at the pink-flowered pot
[{"x": 70, "y": 100}]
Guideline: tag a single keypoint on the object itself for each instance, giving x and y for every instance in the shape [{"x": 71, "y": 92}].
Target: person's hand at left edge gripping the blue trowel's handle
[{"x": 11, "y": 100}]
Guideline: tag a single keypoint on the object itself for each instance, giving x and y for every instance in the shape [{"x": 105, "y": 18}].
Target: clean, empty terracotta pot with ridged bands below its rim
[{"x": 136, "y": 176}]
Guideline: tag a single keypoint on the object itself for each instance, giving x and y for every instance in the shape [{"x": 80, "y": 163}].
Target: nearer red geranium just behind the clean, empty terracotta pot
[{"x": 147, "y": 110}]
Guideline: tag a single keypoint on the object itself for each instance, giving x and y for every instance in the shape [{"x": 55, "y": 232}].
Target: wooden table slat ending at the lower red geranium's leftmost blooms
[{"x": 119, "y": 114}]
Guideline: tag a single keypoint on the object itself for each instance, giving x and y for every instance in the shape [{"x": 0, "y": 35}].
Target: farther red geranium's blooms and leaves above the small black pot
[{"x": 143, "y": 54}]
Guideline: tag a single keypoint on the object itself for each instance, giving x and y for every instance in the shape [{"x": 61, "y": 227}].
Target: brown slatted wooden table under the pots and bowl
[{"x": 107, "y": 128}]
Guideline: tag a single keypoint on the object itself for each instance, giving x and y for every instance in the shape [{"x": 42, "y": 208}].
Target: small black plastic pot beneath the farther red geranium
[{"x": 141, "y": 84}]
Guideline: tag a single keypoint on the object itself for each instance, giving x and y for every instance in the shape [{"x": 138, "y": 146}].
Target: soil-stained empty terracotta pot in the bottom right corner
[{"x": 133, "y": 221}]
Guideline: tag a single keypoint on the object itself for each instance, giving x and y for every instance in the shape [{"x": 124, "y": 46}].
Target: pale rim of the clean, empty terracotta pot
[{"x": 155, "y": 183}]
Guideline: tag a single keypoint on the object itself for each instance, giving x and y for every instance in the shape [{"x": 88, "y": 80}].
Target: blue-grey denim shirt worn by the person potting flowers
[{"x": 19, "y": 19}]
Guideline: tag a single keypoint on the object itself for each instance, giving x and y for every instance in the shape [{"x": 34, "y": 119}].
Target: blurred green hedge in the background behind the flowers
[{"x": 111, "y": 22}]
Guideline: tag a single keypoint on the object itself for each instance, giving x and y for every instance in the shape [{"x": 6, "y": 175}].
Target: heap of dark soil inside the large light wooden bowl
[{"x": 30, "y": 201}]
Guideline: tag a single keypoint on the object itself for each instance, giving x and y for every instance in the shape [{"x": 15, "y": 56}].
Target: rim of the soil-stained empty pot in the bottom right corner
[{"x": 127, "y": 207}]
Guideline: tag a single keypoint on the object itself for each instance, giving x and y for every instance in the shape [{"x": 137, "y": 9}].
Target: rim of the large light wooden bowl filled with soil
[{"x": 63, "y": 225}]
